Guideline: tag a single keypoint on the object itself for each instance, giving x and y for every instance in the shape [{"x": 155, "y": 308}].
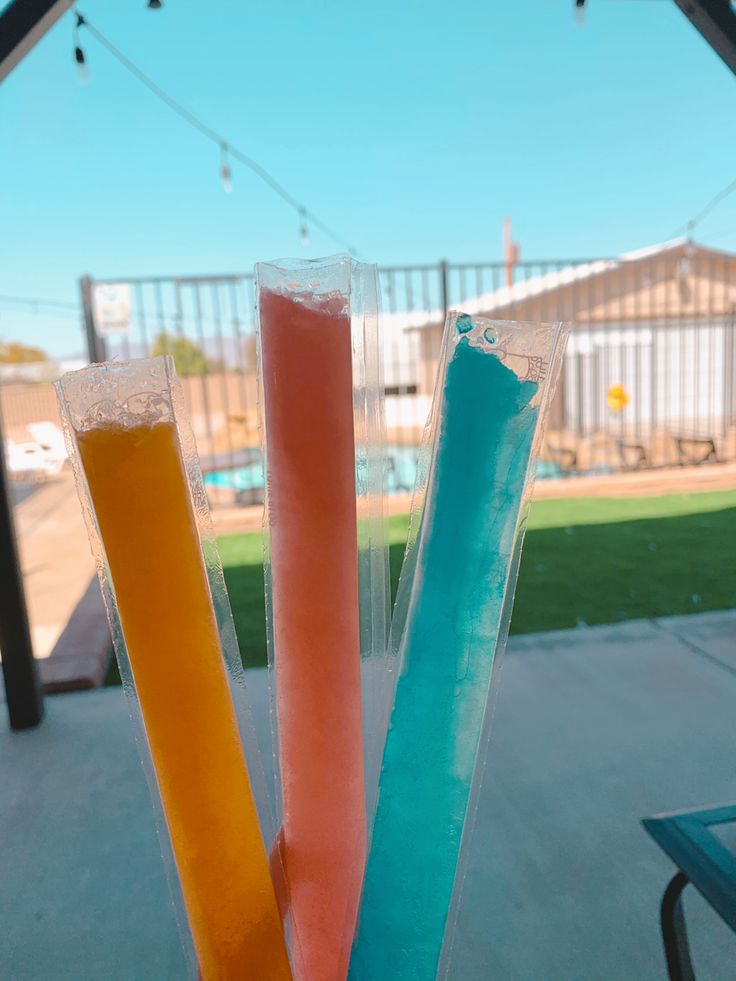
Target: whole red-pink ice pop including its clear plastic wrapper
[{"x": 326, "y": 585}]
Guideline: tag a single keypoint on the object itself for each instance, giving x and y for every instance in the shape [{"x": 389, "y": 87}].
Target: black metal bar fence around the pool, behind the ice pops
[{"x": 647, "y": 381}]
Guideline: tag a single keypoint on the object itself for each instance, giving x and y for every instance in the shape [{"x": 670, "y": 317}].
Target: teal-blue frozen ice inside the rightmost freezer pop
[{"x": 474, "y": 494}]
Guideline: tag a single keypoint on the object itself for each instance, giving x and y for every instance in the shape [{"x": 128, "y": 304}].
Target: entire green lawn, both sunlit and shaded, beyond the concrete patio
[{"x": 585, "y": 561}]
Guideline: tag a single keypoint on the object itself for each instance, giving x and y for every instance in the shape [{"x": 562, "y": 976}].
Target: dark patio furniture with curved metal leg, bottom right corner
[{"x": 703, "y": 861}]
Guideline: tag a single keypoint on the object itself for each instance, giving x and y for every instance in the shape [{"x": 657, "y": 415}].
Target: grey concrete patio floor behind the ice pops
[{"x": 594, "y": 729}]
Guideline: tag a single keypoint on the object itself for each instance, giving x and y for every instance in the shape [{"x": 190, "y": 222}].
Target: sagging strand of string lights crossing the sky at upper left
[{"x": 228, "y": 150}]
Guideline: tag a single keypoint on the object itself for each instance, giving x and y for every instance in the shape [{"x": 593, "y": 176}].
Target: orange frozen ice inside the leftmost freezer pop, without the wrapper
[{"x": 140, "y": 495}]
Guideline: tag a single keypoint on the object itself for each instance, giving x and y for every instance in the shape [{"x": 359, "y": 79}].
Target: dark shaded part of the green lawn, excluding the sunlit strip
[{"x": 571, "y": 576}]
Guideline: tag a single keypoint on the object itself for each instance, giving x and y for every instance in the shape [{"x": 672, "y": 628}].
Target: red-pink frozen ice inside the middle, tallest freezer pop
[{"x": 308, "y": 392}]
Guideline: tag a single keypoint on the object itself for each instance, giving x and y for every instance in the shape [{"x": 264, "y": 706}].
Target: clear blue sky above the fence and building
[{"x": 413, "y": 128}]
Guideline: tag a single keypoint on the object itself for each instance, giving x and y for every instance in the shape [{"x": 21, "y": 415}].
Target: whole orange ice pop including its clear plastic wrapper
[{"x": 143, "y": 499}]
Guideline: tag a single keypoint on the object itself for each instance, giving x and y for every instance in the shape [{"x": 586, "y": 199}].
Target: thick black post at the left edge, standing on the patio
[{"x": 22, "y": 684}]
